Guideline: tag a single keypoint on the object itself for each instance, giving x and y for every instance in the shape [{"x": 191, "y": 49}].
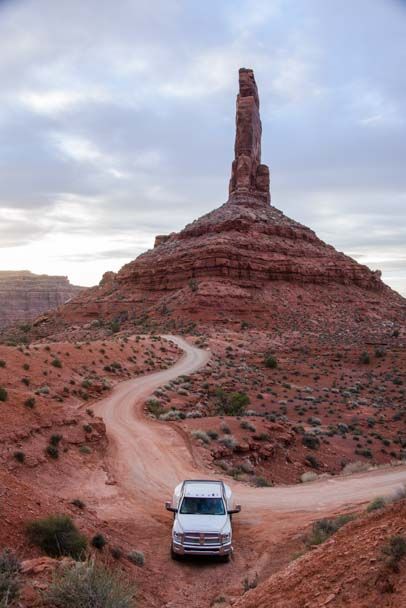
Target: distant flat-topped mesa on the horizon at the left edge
[{"x": 24, "y": 295}]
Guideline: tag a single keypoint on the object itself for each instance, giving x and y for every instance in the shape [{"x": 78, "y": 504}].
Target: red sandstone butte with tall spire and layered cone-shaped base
[{"x": 243, "y": 261}]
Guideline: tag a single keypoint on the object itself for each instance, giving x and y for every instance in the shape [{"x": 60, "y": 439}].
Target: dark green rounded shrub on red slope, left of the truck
[{"x": 56, "y": 535}]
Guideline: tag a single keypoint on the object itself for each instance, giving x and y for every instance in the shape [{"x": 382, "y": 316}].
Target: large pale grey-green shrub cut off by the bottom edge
[{"x": 89, "y": 585}]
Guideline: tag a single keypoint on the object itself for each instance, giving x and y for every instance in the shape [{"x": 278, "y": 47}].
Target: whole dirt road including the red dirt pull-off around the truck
[{"x": 147, "y": 458}]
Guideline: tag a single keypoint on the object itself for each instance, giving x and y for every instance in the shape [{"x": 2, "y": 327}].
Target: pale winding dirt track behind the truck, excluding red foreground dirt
[{"x": 150, "y": 457}]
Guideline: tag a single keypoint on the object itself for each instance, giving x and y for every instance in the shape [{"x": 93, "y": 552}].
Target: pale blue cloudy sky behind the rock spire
[{"x": 117, "y": 123}]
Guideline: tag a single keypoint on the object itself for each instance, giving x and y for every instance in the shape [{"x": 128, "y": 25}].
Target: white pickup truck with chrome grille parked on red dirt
[{"x": 202, "y": 519}]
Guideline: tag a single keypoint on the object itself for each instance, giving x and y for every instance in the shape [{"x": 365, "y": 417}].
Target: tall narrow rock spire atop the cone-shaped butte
[{"x": 249, "y": 181}]
